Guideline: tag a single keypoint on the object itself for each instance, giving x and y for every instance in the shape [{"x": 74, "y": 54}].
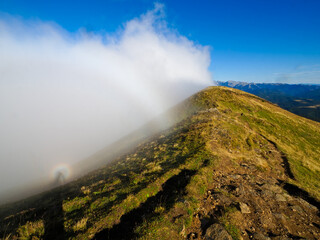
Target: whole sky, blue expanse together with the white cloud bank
[{"x": 76, "y": 76}]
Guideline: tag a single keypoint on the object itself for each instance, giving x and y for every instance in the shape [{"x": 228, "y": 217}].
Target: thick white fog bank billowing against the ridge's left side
[{"x": 64, "y": 96}]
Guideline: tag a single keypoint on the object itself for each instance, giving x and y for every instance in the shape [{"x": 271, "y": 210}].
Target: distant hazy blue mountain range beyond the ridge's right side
[{"x": 301, "y": 99}]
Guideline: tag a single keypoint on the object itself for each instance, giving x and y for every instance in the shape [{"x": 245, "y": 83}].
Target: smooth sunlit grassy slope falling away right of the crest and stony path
[{"x": 297, "y": 137}]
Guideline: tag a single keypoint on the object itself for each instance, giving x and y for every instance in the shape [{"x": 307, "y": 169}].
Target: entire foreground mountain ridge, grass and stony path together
[{"x": 235, "y": 164}]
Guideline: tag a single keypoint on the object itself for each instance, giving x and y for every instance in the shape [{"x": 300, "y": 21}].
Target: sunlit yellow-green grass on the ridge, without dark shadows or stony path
[{"x": 216, "y": 126}]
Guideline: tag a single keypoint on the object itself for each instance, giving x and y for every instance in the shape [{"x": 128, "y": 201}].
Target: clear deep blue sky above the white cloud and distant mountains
[{"x": 259, "y": 41}]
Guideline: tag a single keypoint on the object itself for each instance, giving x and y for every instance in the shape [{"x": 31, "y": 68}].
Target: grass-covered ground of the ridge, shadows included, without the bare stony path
[{"x": 155, "y": 191}]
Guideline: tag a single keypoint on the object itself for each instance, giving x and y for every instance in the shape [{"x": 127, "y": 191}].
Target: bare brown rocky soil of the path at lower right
[{"x": 261, "y": 205}]
